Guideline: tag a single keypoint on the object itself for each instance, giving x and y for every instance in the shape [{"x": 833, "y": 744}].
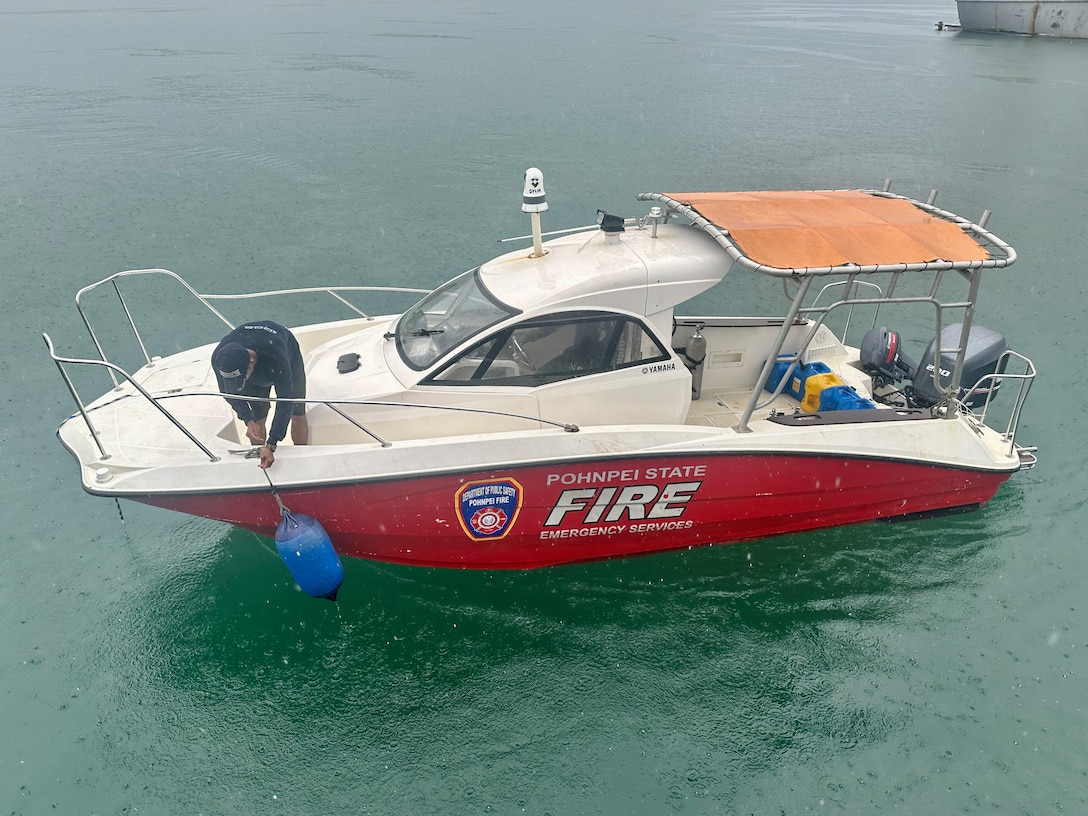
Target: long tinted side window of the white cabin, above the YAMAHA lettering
[{"x": 553, "y": 349}]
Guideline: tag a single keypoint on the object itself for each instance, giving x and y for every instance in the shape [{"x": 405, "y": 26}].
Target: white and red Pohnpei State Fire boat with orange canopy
[{"x": 551, "y": 406}]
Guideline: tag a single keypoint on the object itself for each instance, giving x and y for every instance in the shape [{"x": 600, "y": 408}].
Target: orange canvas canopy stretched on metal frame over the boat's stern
[{"x": 813, "y": 229}]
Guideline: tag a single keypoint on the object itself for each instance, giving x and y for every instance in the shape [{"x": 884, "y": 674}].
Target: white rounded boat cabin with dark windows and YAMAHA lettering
[{"x": 580, "y": 337}]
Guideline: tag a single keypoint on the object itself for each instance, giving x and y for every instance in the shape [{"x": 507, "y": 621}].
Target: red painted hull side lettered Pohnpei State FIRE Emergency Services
[{"x": 545, "y": 515}]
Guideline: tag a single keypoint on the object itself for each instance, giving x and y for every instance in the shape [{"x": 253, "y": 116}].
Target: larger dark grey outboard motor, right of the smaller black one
[{"x": 985, "y": 349}]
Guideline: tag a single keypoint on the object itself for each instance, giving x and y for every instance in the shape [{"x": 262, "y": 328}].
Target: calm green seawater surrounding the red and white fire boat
[{"x": 168, "y": 665}]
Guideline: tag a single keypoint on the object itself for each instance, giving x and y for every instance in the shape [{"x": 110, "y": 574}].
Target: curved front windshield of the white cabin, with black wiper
[{"x": 446, "y": 318}]
